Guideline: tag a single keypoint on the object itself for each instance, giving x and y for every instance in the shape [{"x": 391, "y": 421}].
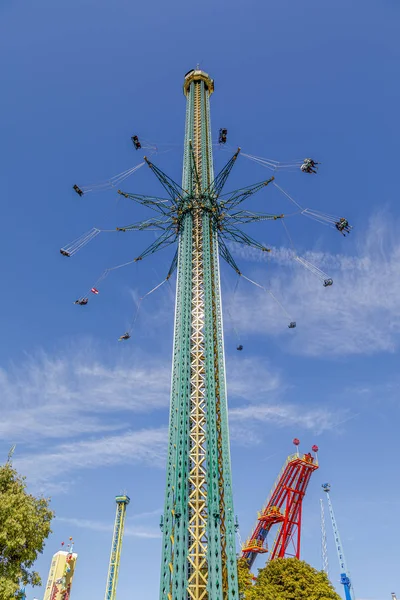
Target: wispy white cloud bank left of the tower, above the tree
[{"x": 80, "y": 408}]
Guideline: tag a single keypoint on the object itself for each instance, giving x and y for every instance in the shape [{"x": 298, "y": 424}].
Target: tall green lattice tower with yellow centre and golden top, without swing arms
[{"x": 198, "y": 553}]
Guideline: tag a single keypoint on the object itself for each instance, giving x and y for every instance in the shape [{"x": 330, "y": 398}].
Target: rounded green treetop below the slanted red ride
[{"x": 292, "y": 579}]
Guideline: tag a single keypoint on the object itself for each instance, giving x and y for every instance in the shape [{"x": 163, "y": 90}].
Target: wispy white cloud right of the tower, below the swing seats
[{"x": 359, "y": 314}]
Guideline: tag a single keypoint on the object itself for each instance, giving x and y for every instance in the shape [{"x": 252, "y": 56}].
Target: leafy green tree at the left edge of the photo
[{"x": 24, "y": 527}]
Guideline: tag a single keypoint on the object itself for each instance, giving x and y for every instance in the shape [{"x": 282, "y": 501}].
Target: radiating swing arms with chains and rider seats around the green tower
[{"x": 227, "y": 218}]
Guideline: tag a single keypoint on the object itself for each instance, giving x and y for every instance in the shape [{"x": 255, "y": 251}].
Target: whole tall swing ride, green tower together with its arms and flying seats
[{"x": 203, "y": 222}]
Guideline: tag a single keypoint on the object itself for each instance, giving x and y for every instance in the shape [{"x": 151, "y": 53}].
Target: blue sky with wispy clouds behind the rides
[{"x": 89, "y": 415}]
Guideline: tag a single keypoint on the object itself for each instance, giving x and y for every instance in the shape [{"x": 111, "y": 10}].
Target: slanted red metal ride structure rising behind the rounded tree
[{"x": 283, "y": 508}]
